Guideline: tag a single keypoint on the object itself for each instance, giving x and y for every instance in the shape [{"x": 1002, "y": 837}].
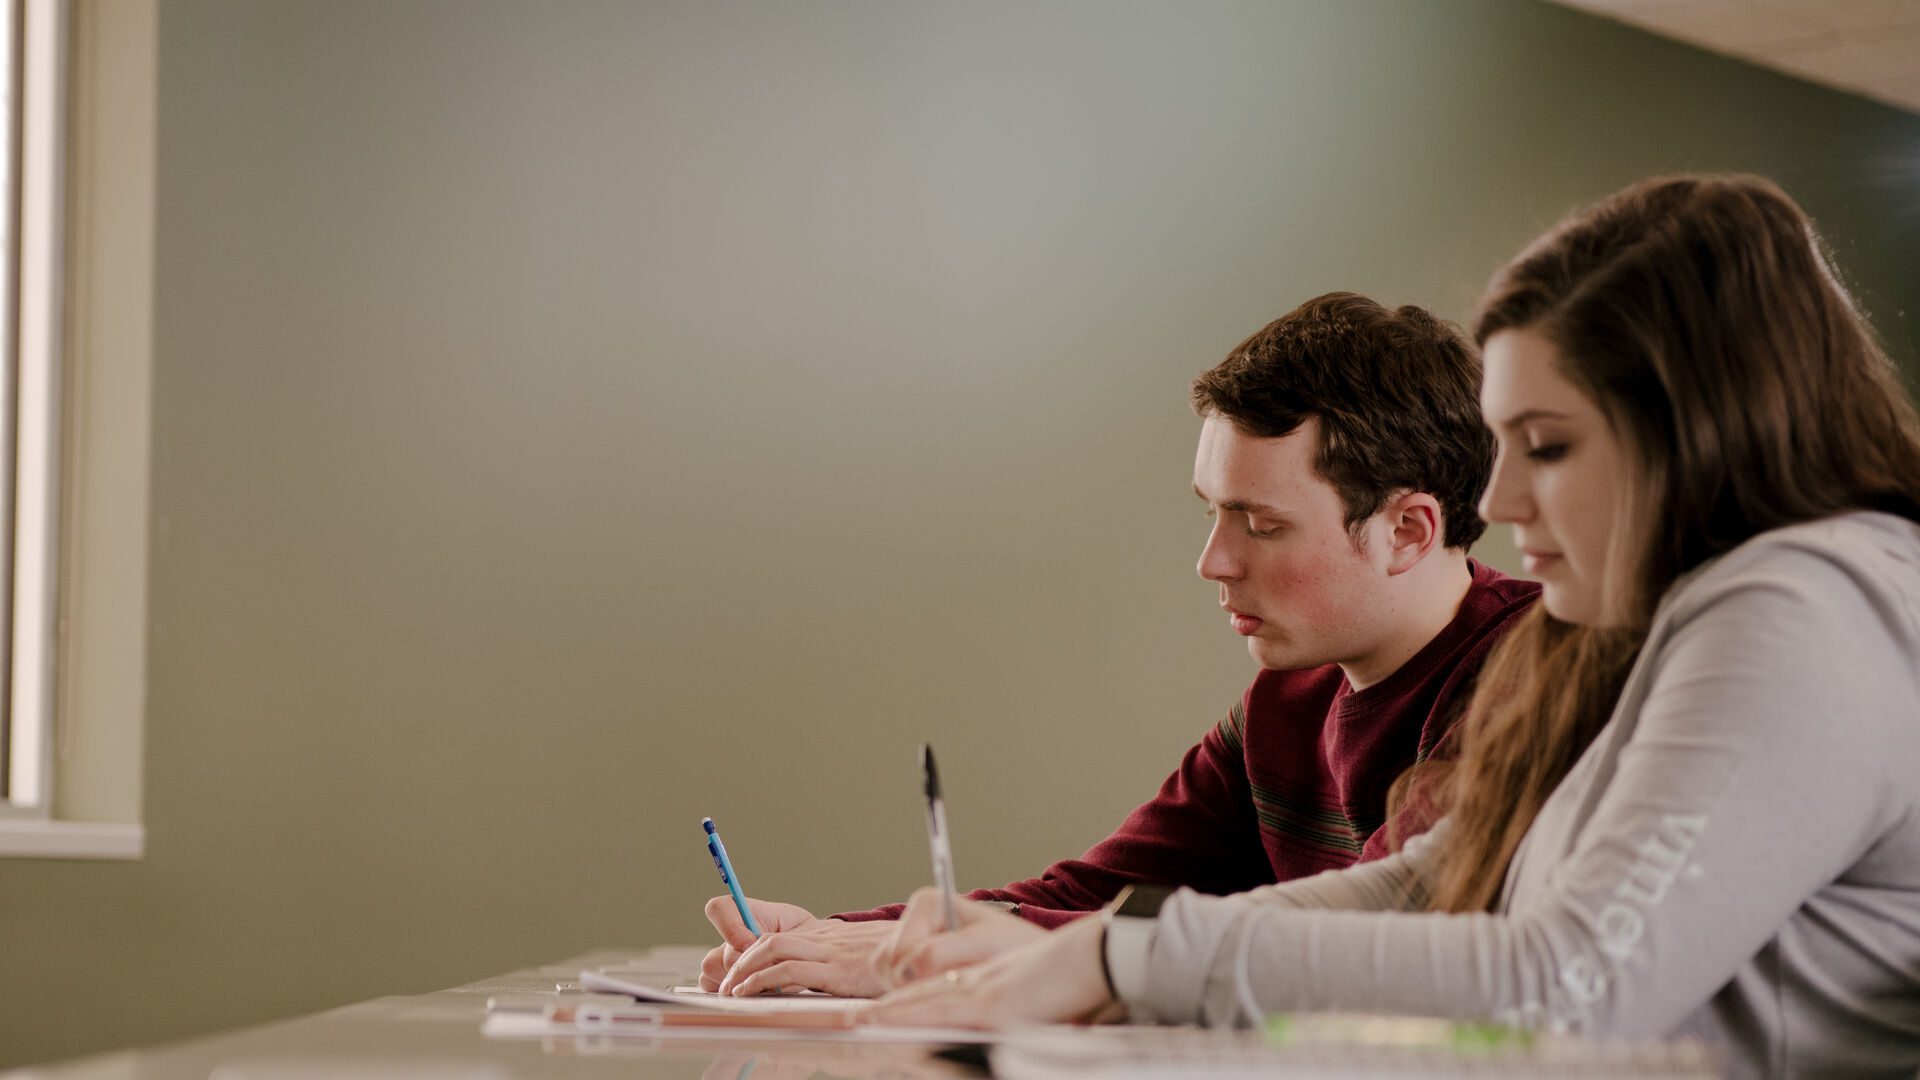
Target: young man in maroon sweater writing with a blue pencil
[{"x": 1341, "y": 458}]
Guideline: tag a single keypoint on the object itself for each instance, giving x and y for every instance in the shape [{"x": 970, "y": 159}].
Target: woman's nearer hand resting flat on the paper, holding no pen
[{"x": 1055, "y": 979}]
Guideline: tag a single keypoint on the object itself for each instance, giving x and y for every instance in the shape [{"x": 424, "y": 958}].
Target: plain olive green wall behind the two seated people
[{"x": 575, "y": 420}]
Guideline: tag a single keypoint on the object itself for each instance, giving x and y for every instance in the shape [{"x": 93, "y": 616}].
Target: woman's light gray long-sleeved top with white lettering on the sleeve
[{"x": 1737, "y": 856}]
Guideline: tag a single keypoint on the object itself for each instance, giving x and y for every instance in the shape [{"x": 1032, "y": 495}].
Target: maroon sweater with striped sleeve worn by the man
[{"x": 1291, "y": 783}]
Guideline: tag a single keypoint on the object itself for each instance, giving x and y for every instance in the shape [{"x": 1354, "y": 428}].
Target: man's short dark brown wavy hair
[{"x": 1397, "y": 395}]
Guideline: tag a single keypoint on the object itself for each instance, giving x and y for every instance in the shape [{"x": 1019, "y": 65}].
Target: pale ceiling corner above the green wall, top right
[{"x": 1869, "y": 47}]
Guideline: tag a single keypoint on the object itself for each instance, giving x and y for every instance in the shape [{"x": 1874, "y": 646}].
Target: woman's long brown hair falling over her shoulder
[{"x": 1706, "y": 322}]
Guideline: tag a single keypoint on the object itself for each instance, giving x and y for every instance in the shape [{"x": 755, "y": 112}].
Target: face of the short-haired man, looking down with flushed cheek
[{"x": 1289, "y": 574}]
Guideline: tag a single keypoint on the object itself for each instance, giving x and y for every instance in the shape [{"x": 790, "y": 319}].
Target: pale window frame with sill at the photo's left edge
[{"x": 84, "y": 349}]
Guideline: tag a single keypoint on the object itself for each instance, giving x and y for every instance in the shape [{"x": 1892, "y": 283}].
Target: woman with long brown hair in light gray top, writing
[{"x": 1689, "y": 797}]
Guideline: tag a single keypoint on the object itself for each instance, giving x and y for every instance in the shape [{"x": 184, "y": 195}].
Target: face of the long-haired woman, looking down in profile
[{"x": 1560, "y": 476}]
